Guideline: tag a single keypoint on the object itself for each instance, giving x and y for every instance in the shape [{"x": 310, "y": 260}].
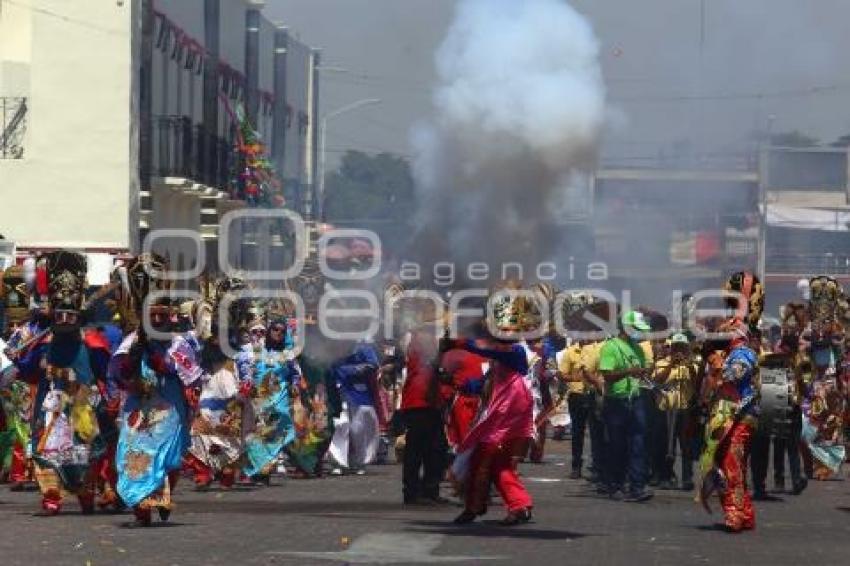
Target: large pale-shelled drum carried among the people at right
[{"x": 777, "y": 394}]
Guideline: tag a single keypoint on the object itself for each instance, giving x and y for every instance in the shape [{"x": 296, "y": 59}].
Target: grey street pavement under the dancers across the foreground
[{"x": 360, "y": 520}]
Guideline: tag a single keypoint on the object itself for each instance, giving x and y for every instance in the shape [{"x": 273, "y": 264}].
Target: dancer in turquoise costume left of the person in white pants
[{"x": 266, "y": 376}]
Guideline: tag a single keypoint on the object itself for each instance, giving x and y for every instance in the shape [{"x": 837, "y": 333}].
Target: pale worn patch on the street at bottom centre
[{"x": 390, "y": 548}]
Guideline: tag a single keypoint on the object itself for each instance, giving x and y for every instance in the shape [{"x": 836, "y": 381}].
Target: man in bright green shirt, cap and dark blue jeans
[{"x": 622, "y": 363}]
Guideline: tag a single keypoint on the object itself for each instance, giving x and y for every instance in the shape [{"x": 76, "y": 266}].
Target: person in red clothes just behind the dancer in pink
[{"x": 466, "y": 371}]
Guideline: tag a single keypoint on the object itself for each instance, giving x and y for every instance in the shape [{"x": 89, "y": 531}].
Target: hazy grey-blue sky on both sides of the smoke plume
[{"x": 760, "y": 62}]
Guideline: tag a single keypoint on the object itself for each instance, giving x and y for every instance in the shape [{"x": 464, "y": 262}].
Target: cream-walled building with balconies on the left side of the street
[{"x": 119, "y": 120}]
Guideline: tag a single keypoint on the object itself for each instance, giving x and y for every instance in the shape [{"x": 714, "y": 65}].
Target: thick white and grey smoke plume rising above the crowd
[{"x": 520, "y": 105}]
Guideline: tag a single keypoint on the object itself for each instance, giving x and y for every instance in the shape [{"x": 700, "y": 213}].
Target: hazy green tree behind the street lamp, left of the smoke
[{"x": 369, "y": 187}]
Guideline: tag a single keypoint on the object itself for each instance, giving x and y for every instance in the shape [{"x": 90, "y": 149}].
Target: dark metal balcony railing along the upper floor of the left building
[{"x": 184, "y": 149}]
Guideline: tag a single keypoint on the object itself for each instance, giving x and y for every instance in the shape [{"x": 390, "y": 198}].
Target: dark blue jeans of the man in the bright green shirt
[{"x": 625, "y": 422}]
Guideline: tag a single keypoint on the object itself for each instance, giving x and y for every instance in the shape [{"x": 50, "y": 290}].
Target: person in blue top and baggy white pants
[{"x": 357, "y": 430}]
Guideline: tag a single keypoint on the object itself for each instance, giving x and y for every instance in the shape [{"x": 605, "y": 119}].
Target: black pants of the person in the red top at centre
[{"x": 424, "y": 454}]
